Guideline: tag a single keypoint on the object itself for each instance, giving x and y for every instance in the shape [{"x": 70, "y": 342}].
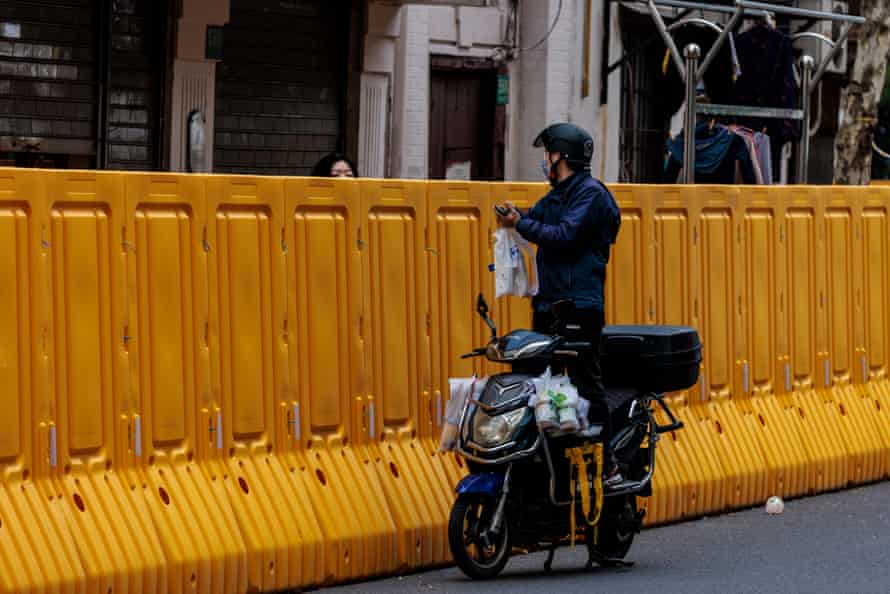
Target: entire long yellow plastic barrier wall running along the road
[{"x": 233, "y": 383}]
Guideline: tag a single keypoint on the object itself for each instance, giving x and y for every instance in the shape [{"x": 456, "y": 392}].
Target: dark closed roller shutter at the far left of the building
[{"x": 47, "y": 79}]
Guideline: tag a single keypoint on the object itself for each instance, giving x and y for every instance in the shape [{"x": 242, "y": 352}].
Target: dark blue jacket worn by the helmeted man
[{"x": 574, "y": 227}]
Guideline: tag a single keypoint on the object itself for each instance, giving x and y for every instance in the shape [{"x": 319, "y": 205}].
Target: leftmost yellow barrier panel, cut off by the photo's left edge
[{"x": 37, "y": 550}]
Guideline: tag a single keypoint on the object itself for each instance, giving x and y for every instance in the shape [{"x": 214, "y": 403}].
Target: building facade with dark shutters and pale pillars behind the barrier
[{"x": 410, "y": 88}]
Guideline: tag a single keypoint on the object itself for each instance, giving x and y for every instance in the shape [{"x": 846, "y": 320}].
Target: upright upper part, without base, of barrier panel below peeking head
[{"x": 324, "y": 302}]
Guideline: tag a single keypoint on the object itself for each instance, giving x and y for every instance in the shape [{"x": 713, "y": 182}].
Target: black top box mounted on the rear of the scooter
[{"x": 650, "y": 358}]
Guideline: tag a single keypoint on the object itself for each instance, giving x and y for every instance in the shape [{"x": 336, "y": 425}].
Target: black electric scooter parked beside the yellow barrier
[{"x": 529, "y": 491}]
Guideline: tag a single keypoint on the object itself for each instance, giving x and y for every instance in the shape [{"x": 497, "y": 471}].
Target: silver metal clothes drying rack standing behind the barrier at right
[{"x": 692, "y": 68}]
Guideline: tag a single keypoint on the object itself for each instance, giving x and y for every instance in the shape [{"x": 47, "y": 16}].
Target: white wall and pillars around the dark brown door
[{"x": 545, "y": 82}]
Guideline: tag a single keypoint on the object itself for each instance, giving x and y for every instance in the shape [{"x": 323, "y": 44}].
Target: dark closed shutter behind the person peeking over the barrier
[{"x": 278, "y": 106}]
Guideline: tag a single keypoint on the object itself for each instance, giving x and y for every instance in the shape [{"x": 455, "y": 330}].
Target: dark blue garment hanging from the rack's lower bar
[{"x": 718, "y": 151}]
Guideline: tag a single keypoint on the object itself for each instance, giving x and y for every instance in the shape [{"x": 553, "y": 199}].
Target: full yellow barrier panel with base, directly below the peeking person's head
[{"x": 328, "y": 375}]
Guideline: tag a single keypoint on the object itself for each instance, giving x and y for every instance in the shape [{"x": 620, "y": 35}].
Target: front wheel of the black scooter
[{"x": 479, "y": 553}]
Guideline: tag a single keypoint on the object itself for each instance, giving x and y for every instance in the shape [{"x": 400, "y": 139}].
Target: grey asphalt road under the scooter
[{"x": 835, "y": 543}]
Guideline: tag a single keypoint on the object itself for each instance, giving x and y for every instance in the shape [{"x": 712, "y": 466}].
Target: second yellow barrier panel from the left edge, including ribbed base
[{"x": 91, "y": 386}]
